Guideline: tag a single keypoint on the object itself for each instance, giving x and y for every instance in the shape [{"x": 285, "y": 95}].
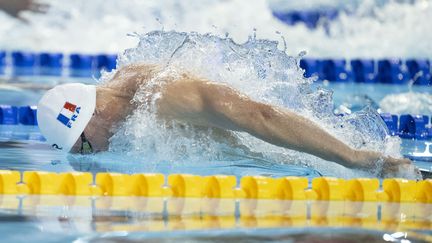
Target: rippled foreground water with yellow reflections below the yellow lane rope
[{"x": 133, "y": 219}]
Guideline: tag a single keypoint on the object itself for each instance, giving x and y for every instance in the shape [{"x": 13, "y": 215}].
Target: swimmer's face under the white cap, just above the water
[{"x": 97, "y": 134}]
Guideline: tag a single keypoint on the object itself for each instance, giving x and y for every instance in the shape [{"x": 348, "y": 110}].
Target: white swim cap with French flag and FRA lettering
[{"x": 64, "y": 112}]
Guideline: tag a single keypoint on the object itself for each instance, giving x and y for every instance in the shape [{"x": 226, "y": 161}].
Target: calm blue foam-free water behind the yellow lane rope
[{"x": 25, "y": 152}]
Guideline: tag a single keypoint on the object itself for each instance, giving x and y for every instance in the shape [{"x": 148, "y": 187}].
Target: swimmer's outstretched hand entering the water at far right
[{"x": 385, "y": 166}]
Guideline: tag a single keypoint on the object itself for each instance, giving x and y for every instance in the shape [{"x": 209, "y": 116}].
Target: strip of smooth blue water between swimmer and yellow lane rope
[{"x": 28, "y": 155}]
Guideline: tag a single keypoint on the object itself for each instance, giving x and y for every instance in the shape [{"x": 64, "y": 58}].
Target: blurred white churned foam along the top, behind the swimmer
[{"x": 372, "y": 29}]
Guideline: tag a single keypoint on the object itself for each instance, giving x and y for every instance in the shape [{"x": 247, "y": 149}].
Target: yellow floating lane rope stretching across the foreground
[{"x": 215, "y": 186}]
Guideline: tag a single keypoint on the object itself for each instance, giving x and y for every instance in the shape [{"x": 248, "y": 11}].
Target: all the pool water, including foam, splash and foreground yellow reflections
[{"x": 260, "y": 69}]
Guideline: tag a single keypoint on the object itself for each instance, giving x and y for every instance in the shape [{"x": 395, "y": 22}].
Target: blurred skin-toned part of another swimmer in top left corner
[{"x": 14, "y": 7}]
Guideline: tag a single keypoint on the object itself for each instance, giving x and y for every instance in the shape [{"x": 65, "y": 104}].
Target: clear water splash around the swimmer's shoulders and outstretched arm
[{"x": 258, "y": 69}]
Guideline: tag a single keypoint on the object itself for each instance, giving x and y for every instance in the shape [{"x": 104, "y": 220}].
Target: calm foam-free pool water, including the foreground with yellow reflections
[{"x": 100, "y": 219}]
